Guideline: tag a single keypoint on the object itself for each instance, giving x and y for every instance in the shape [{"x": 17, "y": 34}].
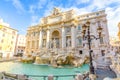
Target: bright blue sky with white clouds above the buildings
[{"x": 20, "y": 14}]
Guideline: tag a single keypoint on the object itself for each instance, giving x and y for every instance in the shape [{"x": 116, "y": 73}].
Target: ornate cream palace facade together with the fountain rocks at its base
[{"x": 58, "y": 40}]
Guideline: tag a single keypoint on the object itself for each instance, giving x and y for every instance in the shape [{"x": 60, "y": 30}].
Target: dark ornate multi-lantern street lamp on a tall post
[{"x": 86, "y": 35}]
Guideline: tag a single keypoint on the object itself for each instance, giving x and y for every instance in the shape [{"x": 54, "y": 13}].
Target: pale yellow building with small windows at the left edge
[{"x": 8, "y": 37}]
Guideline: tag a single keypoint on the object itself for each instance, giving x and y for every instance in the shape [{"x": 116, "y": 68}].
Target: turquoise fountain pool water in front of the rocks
[{"x": 32, "y": 69}]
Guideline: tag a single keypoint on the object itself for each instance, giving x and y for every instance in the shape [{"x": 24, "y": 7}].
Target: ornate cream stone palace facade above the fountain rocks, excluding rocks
[{"x": 61, "y": 32}]
